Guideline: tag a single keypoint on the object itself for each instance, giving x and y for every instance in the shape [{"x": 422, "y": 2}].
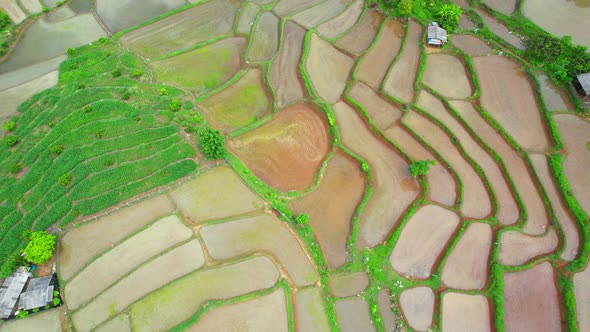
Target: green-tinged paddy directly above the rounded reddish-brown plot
[{"x": 239, "y": 105}]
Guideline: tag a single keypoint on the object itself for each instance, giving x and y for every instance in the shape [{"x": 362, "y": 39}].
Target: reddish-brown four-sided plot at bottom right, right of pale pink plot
[{"x": 530, "y": 300}]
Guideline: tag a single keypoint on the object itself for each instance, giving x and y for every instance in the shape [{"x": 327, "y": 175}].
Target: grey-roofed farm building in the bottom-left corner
[{"x": 38, "y": 292}]
